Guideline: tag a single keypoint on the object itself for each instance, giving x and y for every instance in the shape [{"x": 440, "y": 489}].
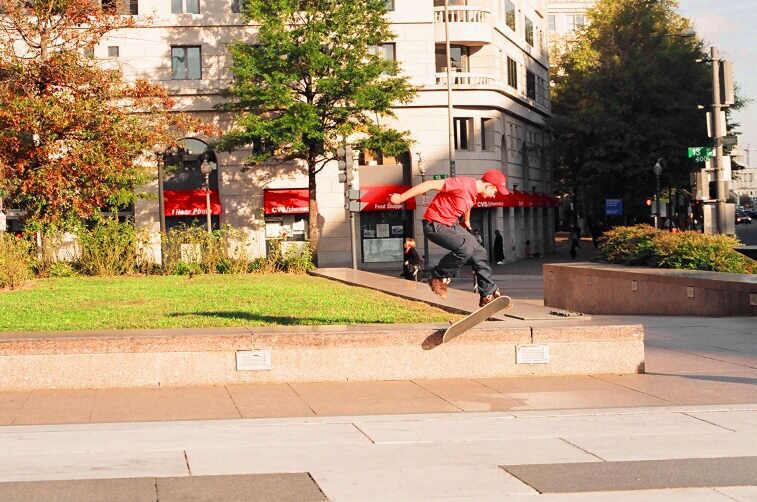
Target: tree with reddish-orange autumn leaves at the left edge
[{"x": 72, "y": 133}]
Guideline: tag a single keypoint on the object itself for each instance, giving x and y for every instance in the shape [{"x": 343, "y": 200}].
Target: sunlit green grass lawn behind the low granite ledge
[{"x": 88, "y": 303}]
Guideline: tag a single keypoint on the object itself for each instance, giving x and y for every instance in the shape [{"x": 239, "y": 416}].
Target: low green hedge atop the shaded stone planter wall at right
[{"x": 644, "y": 245}]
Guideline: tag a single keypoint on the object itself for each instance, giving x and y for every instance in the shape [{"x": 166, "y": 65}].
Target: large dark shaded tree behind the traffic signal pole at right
[{"x": 625, "y": 95}]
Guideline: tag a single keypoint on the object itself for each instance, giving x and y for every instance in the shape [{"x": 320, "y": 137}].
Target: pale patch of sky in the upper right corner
[{"x": 731, "y": 26}]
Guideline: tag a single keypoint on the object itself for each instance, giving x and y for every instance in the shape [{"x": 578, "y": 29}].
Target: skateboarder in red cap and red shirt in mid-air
[{"x": 442, "y": 226}]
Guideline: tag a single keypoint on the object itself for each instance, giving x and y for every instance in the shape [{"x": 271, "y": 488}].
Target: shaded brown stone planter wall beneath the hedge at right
[{"x": 615, "y": 289}]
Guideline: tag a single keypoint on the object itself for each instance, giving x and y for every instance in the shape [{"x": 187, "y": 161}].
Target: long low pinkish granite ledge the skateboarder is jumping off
[{"x": 310, "y": 353}]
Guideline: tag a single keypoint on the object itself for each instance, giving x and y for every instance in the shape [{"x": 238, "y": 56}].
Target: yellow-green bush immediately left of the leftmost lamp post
[{"x": 109, "y": 247}]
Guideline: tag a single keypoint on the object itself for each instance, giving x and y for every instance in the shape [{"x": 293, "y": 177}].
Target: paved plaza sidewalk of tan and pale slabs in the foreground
[{"x": 685, "y": 430}]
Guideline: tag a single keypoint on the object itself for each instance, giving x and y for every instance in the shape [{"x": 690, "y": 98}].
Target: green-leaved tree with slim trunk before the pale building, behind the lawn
[{"x": 312, "y": 81}]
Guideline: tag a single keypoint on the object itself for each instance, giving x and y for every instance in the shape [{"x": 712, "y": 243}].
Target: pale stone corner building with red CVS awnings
[{"x": 500, "y": 98}]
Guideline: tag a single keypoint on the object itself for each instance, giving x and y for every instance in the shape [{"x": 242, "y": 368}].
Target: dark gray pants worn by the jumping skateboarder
[{"x": 463, "y": 246}]
